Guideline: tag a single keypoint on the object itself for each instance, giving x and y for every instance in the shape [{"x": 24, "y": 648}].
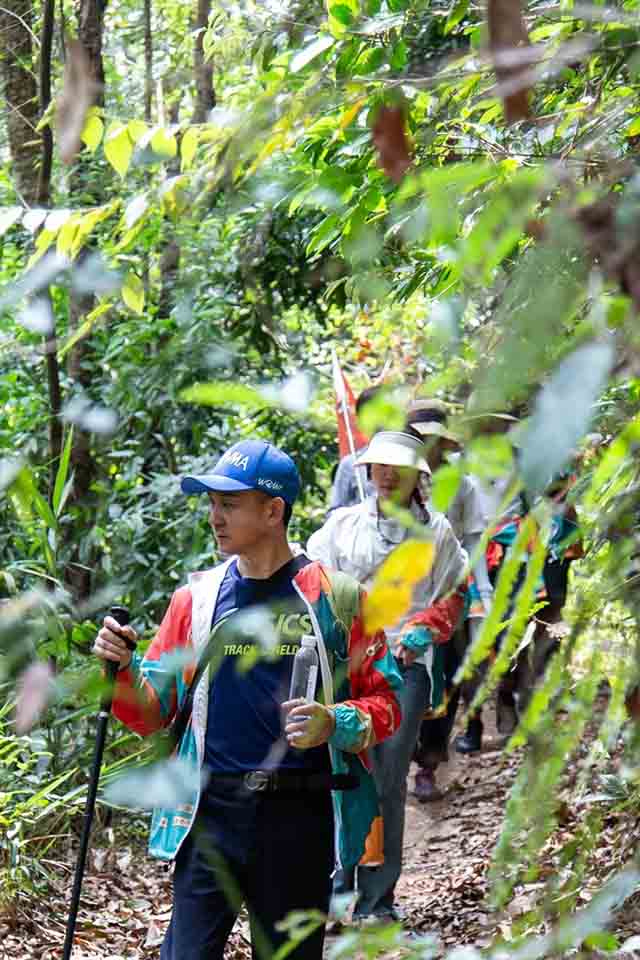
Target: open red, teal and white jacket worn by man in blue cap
[{"x": 360, "y": 681}]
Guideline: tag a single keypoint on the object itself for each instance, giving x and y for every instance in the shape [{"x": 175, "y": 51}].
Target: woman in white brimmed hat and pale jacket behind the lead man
[{"x": 357, "y": 540}]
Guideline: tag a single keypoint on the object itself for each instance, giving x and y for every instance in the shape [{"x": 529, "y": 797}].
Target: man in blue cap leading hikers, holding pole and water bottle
[{"x": 261, "y": 827}]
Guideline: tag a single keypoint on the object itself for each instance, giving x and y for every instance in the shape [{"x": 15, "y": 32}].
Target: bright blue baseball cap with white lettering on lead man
[{"x": 250, "y": 465}]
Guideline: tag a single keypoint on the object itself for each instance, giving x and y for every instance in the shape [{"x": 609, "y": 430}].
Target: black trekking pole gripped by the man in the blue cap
[{"x": 121, "y": 614}]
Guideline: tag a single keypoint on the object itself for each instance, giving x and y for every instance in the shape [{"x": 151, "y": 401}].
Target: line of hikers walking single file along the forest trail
[{"x": 290, "y": 792}]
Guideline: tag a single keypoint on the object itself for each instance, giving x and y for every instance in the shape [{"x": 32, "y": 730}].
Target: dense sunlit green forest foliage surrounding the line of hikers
[{"x": 353, "y": 183}]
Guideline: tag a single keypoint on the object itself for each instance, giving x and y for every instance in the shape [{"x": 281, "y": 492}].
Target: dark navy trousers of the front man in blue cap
[{"x": 272, "y": 851}]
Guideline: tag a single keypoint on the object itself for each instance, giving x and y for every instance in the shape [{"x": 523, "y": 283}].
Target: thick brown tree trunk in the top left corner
[{"x": 20, "y": 94}]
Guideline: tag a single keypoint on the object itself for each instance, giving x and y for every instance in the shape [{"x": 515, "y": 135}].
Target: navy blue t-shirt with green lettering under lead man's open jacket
[{"x": 244, "y": 724}]
